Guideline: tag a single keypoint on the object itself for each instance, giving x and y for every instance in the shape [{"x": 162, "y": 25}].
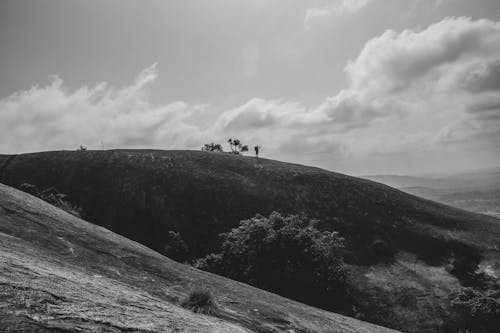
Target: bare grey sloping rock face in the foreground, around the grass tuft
[{"x": 60, "y": 273}]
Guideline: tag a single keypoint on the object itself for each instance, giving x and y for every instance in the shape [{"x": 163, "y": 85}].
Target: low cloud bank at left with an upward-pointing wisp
[{"x": 53, "y": 117}]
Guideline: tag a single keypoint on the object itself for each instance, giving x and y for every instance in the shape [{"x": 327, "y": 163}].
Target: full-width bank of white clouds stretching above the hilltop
[{"x": 425, "y": 90}]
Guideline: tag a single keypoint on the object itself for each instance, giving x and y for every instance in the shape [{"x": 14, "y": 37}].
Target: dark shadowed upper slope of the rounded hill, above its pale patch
[{"x": 143, "y": 194}]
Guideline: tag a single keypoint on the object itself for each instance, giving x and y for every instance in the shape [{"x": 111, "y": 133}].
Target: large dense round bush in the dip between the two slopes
[{"x": 287, "y": 255}]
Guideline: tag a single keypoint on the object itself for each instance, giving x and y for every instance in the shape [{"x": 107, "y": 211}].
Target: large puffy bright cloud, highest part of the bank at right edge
[{"x": 395, "y": 60}]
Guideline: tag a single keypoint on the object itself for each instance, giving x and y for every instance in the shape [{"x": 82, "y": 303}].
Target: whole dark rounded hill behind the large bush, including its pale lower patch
[{"x": 143, "y": 194}]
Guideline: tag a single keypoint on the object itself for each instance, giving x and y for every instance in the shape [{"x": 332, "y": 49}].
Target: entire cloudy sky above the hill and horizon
[{"x": 354, "y": 86}]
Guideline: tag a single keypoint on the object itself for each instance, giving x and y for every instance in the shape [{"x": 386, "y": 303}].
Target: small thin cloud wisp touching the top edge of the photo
[{"x": 334, "y": 8}]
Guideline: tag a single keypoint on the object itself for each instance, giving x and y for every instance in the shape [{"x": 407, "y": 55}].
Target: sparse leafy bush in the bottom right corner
[{"x": 481, "y": 308}]
